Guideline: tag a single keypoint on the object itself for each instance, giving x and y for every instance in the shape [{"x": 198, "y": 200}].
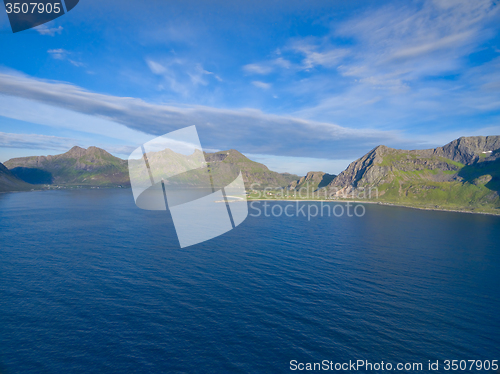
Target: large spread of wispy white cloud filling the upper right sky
[{"x": 403, "y": 65}]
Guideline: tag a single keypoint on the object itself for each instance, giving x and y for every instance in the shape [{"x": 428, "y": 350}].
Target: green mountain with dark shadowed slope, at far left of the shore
[{"x": 78, "y": 166}]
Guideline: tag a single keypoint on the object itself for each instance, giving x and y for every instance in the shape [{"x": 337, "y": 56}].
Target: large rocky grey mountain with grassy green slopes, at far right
[{"x": 464, "y": 175}]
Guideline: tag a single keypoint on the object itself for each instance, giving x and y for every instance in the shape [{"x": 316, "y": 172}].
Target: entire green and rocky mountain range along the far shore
[{"x": 463, "y": 175}]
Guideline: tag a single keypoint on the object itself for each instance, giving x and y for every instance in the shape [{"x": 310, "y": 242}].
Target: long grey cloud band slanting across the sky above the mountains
[{"x": 248, "y": 130}]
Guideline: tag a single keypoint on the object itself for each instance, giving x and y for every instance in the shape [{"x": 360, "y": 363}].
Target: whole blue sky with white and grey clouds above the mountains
[{"x": 300, "y": 86}]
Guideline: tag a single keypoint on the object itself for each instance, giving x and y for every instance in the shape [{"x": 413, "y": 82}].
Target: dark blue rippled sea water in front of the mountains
[{"x": 89, "y": 283}]
